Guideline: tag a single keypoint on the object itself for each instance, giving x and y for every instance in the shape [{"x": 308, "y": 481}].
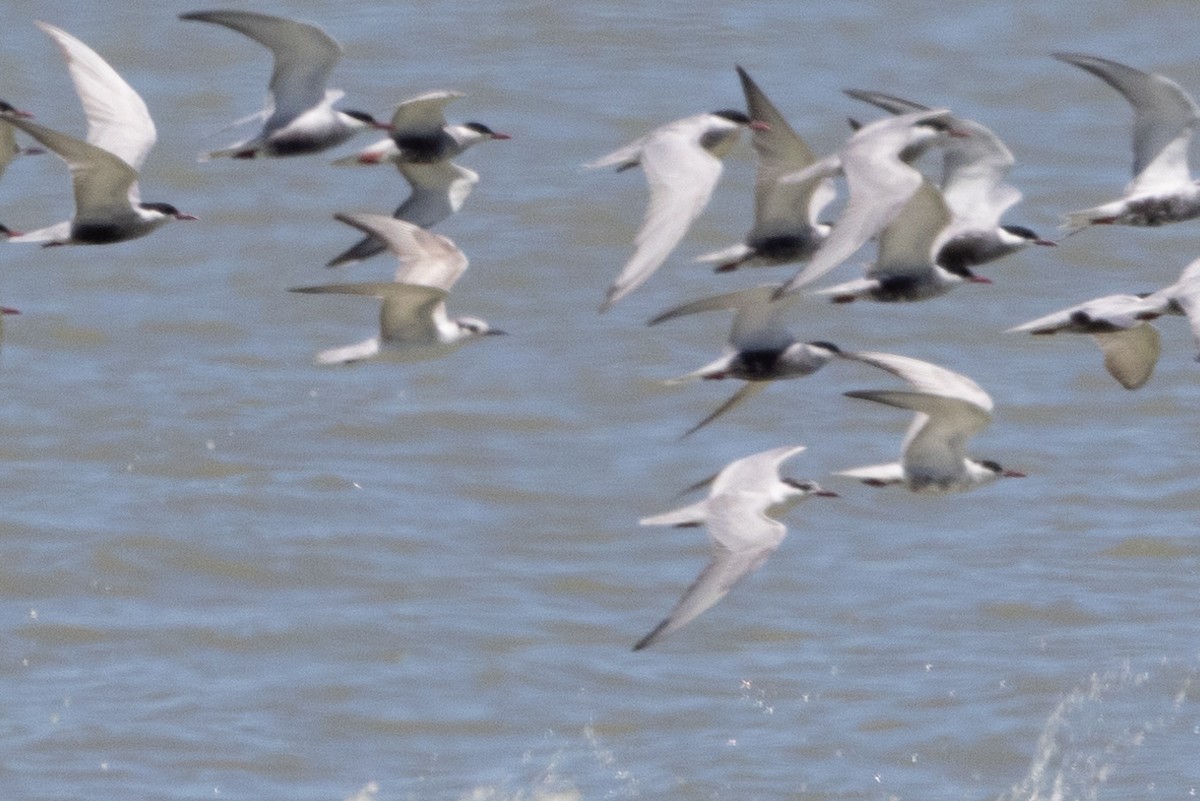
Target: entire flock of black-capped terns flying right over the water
[{"x": 932, "y": 237}]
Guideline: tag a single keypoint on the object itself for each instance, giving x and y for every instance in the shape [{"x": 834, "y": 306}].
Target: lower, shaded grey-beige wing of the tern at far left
[{"x": 103, "y": 182}]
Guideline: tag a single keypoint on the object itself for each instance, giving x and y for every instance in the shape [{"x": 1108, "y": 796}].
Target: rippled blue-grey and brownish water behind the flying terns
[{"x": 226, "y": 573}]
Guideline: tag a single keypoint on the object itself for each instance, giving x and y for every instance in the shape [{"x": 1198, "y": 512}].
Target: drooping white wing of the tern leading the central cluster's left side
[{"x": 682, "y": 177}]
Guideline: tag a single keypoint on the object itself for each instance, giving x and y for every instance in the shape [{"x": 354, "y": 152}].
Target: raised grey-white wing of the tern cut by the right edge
[{"x": 1165, "y": 117}]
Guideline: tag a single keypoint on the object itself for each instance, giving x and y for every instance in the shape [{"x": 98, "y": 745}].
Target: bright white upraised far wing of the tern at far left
[{"x": 118, "y": 118}]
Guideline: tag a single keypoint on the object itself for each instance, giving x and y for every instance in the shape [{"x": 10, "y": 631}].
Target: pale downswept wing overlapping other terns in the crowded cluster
[{"x": 880, "y": 186}]
